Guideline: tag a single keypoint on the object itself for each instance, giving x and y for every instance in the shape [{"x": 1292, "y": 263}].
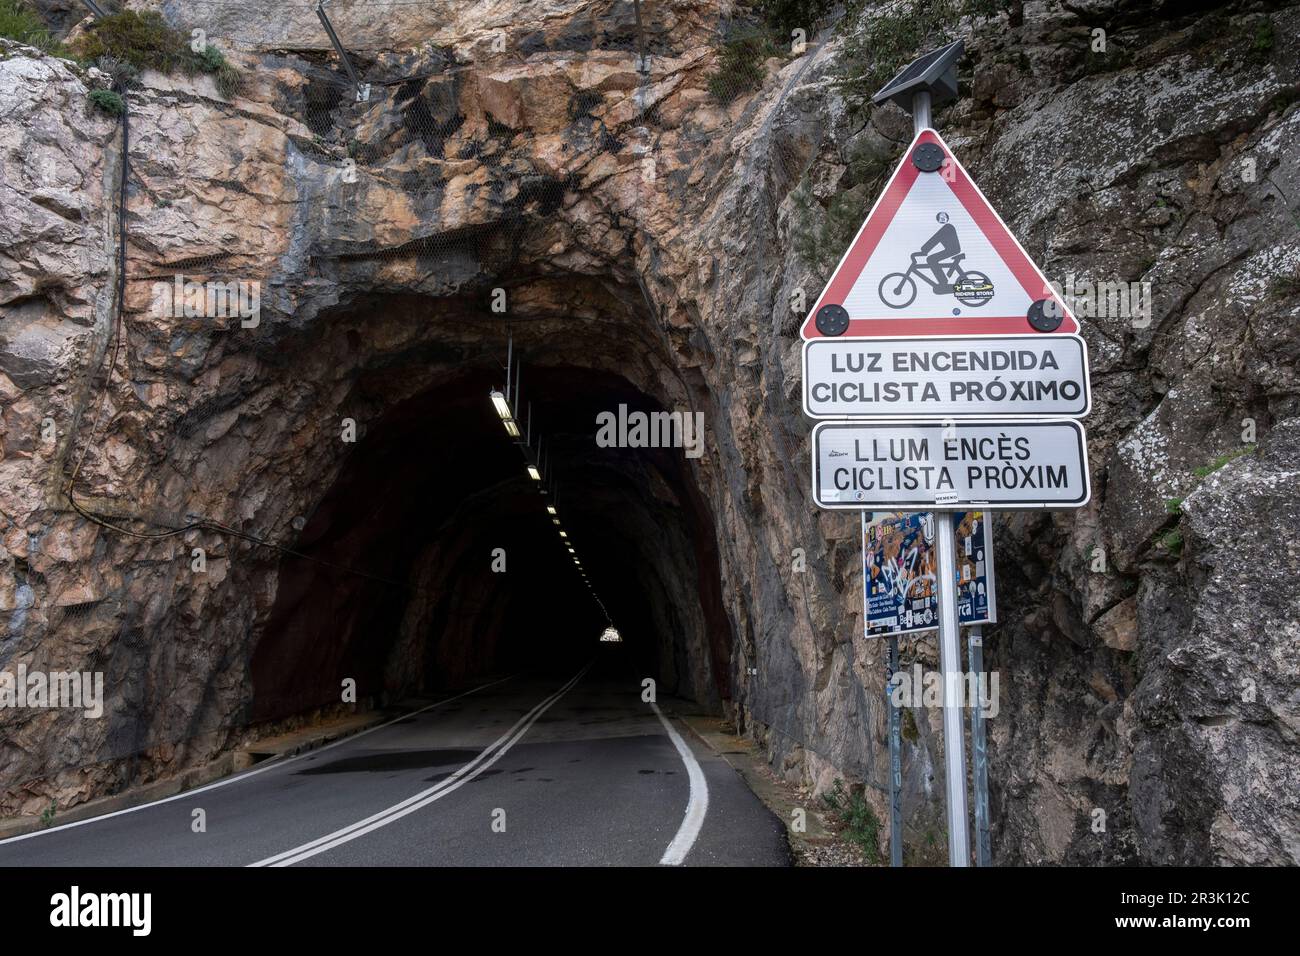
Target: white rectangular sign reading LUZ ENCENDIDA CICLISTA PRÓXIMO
[{"x": 947, "y": 377}]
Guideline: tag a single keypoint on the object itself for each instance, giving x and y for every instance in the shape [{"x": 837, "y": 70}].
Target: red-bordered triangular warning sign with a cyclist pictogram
[{"x": 934, "y": 259}]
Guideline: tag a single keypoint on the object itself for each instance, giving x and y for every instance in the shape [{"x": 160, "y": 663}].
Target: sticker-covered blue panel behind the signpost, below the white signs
[{"x": 900, "y": 572}]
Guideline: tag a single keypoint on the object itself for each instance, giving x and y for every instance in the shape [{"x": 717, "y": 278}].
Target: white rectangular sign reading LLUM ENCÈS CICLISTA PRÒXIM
[{"x": 950, "y": 466}]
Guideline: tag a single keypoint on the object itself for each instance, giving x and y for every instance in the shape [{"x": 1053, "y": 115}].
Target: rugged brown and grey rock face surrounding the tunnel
[{"x": 1149, "y": 643}]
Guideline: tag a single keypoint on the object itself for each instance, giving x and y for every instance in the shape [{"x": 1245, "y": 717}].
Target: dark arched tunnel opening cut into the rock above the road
[{"x": 431, "y": 559}]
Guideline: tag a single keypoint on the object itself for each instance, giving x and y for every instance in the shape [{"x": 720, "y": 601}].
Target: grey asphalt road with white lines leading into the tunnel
[{"x": 523, "y": 772}]
